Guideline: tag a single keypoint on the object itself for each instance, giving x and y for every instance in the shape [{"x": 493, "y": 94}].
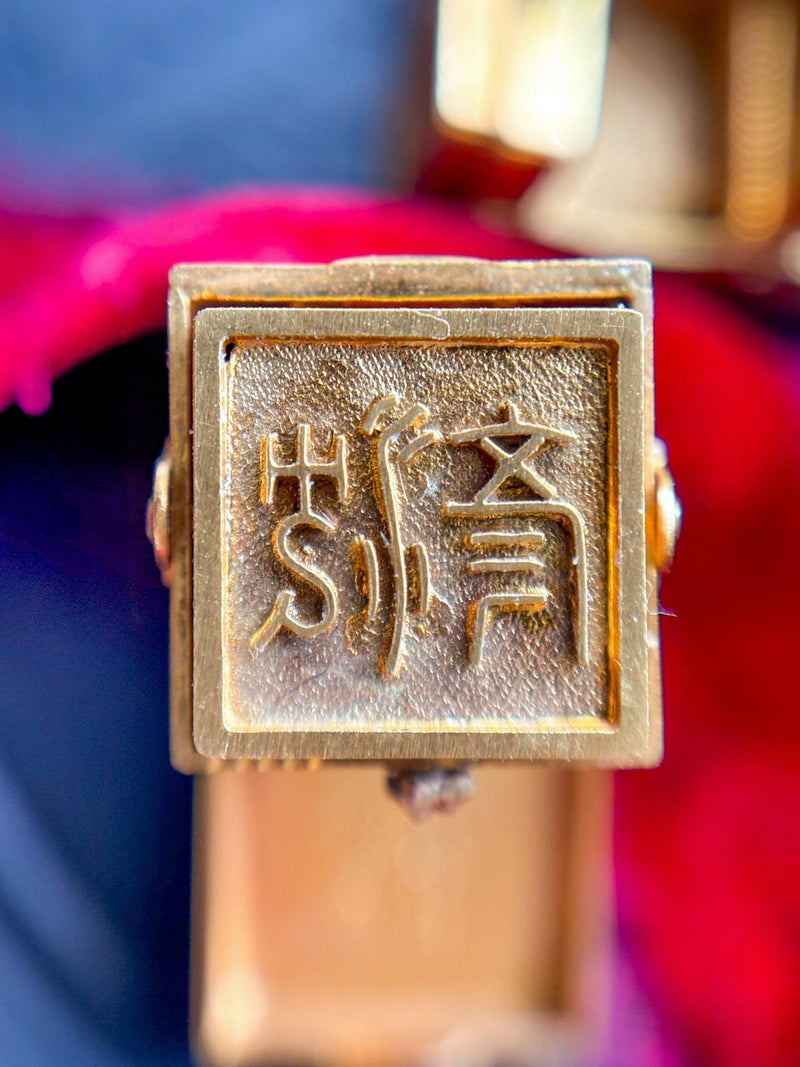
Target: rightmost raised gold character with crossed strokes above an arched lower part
[{"x": 515, "y": 445}]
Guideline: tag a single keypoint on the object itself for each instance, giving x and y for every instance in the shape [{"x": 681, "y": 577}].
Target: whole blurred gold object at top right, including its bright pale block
[{"x": 696, "y": 163}]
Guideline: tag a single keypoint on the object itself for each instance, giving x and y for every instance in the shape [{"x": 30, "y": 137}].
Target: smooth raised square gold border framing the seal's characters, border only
[{"x": 626, "y": 736}]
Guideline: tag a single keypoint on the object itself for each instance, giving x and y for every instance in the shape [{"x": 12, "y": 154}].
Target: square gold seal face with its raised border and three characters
[{"x": 421, "y": 534}]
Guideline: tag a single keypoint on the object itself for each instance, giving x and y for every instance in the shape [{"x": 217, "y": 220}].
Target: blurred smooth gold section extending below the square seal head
[{"x": 330, "y": 929}]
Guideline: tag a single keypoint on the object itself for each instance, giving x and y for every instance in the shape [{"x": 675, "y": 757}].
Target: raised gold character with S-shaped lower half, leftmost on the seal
[{"x": 298, "y": 560}]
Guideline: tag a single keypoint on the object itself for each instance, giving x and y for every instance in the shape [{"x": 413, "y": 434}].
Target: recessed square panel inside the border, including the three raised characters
[{"x": 412, "y": 535}]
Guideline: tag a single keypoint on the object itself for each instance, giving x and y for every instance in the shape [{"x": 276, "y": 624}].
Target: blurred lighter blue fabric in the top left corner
[{"x": 106, "y": 102}]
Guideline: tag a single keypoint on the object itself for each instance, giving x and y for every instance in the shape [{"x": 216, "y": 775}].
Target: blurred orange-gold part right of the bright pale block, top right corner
[{"x": 697, "y": 162}]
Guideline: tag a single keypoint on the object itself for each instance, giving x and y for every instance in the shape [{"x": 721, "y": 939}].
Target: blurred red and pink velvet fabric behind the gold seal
[{"x": 708, "y": 847}]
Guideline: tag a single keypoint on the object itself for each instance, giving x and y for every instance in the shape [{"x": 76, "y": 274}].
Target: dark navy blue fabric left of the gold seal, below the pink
[{"x": 94, "y": 824}]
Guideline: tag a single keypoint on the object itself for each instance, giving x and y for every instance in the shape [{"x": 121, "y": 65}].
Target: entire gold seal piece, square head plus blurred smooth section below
[{"x": 412, "y": 511}]
